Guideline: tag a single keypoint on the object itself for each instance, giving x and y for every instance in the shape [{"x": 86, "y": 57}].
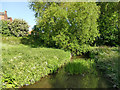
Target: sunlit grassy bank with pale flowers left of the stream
[{"x": 23, "y": 65}]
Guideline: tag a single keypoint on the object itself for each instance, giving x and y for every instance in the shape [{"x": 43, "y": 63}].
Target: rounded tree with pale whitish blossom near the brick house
[{"x": 18, "y": 27}]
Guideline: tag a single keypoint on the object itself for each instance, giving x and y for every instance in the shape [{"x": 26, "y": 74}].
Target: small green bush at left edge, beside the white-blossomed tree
[{"x": 4, "y": 29}]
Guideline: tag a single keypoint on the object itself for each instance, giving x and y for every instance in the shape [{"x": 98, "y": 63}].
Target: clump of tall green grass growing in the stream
[{"x": 80, "y": 66}]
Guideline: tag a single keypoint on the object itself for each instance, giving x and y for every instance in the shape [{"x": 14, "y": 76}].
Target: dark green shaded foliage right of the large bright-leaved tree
[{"x": 108, "y": 24}]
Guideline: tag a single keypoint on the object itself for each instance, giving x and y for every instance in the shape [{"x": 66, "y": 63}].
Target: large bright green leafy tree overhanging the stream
[{"x": 70, "y": 26}]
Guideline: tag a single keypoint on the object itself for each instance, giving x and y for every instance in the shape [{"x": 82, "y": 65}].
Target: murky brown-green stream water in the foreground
[{"x": 61, "y": 79}]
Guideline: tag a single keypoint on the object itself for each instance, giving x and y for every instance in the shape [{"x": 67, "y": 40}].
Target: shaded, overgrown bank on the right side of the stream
[{"x": 107, "y": 60}]
